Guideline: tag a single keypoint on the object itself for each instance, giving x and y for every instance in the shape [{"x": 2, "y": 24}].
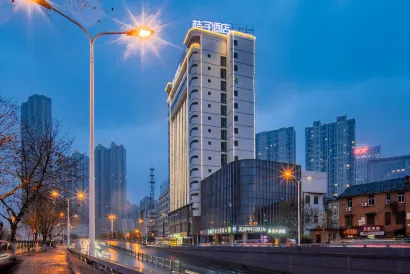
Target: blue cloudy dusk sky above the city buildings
[{"x": 315, "y": 60}]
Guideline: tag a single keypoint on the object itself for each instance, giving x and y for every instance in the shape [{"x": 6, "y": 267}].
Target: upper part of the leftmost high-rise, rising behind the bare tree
[{"x": 36, "y": 116}]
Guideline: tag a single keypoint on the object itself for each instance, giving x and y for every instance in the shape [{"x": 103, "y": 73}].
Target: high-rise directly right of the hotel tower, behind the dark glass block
[{"x": 277, "y": 145}]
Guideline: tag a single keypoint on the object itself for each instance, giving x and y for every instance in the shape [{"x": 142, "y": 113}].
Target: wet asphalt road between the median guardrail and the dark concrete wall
[{"x": 206, "y": 265}]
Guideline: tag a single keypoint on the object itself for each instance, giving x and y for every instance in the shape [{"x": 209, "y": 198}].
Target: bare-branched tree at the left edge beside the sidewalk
[{"x": 37, "y": 165}]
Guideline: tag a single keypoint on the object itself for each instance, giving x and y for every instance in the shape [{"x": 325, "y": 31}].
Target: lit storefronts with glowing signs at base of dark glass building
[{"x": 243, "y": 234}]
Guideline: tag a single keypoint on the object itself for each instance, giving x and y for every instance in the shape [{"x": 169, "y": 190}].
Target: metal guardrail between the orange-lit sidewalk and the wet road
[{"x": 103, "y": 266}]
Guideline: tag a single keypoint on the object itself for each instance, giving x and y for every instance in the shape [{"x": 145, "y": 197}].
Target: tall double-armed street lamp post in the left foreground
[{"x": 141, "y": 32}]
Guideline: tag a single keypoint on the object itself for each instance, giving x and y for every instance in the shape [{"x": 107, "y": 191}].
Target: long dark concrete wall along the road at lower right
[{"x": 318, "y": 260}]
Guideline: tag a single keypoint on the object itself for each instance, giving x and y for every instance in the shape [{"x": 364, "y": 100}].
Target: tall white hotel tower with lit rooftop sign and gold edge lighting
[{"x": 211, "y": 111}]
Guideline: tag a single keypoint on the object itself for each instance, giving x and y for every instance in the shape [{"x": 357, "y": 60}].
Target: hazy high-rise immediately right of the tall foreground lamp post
[{"x": 110, "y": 182}]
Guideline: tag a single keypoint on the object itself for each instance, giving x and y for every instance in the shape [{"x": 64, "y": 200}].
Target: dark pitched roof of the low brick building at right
[{"x": 377, "y": 187}]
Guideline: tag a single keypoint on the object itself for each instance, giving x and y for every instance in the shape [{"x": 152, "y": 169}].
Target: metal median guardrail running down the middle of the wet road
[{"x": 173, "y": 266}]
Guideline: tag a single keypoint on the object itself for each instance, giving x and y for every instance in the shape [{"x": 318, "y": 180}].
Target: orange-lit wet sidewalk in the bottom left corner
[{"x": 50, "y": 262}]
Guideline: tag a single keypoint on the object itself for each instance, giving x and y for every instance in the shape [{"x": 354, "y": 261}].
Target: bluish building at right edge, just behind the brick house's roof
[{"x": 388, "y": 168}]
